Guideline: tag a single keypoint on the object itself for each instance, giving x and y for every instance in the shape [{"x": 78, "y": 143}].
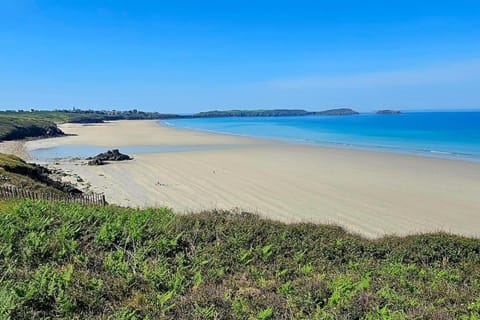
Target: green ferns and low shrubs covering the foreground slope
[{"x": 69, "y": 261}]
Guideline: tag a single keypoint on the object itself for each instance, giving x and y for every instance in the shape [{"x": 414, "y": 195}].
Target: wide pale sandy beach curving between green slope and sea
[{"x": 370, "y": 193}]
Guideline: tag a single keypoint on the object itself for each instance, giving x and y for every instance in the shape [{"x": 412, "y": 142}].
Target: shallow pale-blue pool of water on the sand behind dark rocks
[{"x": 84, "y": 151}]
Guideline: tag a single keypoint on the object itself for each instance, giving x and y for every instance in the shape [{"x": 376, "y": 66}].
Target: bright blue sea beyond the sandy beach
[{"x": 453, "y": 135}]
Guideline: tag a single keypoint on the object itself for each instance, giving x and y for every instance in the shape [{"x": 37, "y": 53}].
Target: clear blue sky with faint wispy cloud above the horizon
[{"x": 186, "y": 56}]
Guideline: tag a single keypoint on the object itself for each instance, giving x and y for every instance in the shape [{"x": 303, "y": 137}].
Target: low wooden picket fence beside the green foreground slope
[{"x": 11, "y": 192}]
